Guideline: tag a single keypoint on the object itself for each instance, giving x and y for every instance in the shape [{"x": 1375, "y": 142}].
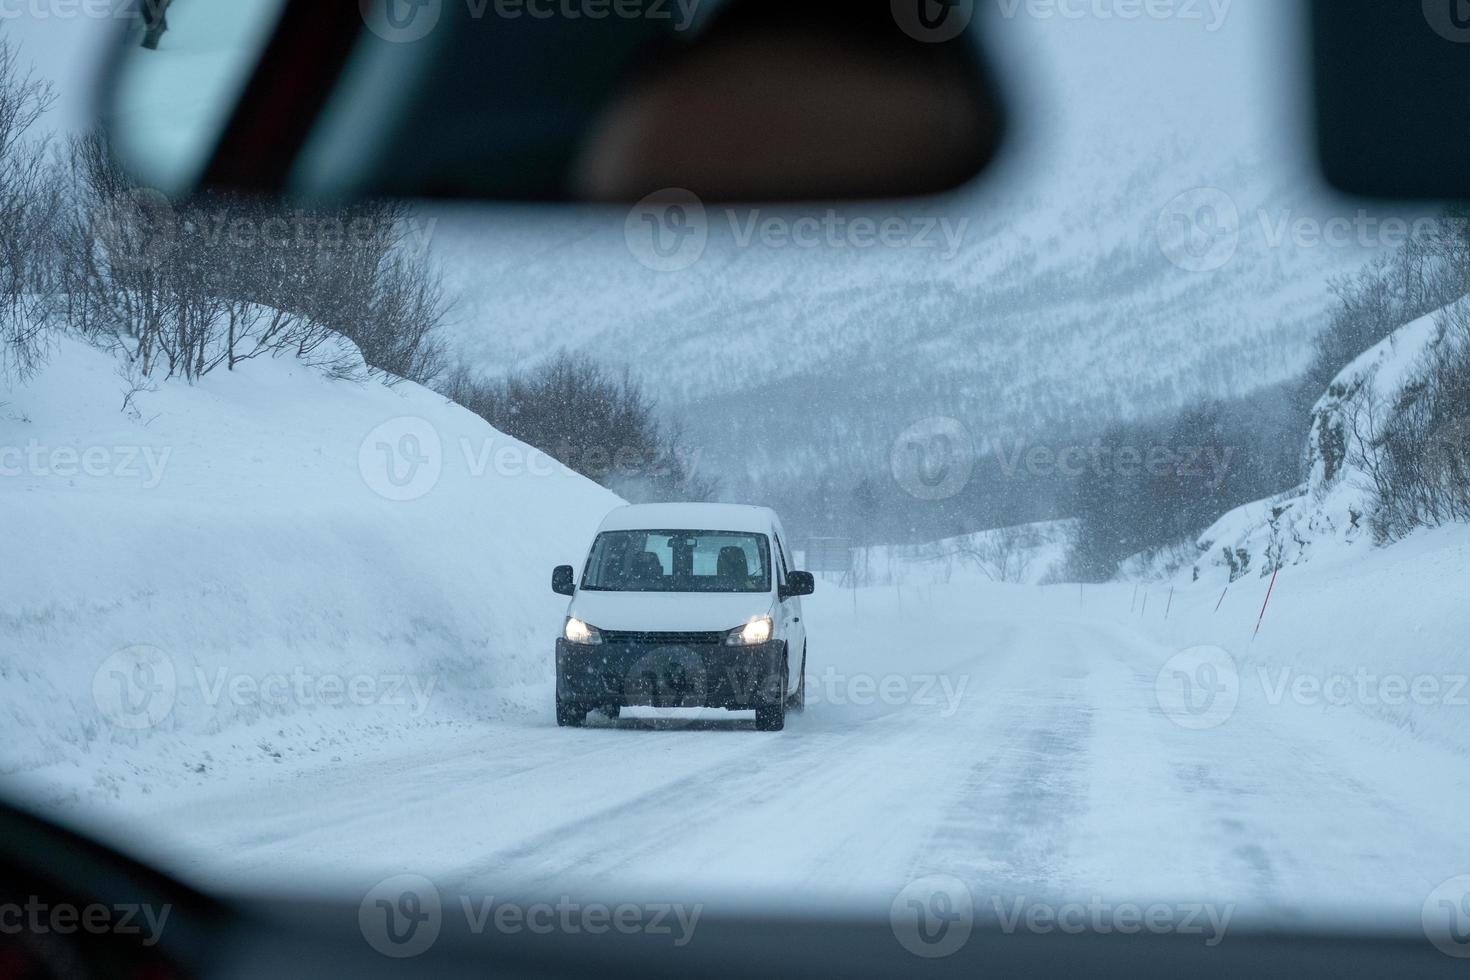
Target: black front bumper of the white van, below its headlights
[{"x": 671, "y": 675}]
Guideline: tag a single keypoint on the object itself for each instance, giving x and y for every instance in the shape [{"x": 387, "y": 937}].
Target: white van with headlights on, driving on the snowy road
[{"x": 684, "y": 606}]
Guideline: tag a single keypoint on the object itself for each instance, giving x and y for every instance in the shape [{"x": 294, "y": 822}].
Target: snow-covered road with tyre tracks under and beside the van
[{"x": 1022, "y": 750}]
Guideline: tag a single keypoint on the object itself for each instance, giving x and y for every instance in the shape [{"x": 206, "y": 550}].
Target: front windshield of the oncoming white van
[{"x": 678, "y": 562}]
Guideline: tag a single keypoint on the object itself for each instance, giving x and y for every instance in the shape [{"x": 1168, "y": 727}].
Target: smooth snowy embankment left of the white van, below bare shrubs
[{"x": 262, "y": 569}]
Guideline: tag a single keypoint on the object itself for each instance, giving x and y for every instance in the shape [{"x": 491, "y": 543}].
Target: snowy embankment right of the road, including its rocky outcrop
[{"x": 1350, "y": 625}]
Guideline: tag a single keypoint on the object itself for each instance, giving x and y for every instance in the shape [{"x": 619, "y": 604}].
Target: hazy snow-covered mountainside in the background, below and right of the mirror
[{"x": 1149, "y": 240}]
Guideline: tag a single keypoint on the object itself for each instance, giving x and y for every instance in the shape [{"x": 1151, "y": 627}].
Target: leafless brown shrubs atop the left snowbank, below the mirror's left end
[{"x": 184, "y": 290}]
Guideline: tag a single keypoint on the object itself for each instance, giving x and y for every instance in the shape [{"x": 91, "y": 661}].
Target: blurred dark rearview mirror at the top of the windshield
[{"x": 733, "y": 102}]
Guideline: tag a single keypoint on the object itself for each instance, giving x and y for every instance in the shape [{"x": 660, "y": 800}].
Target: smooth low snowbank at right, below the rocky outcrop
[{"x": 1369, "y": 637}]
